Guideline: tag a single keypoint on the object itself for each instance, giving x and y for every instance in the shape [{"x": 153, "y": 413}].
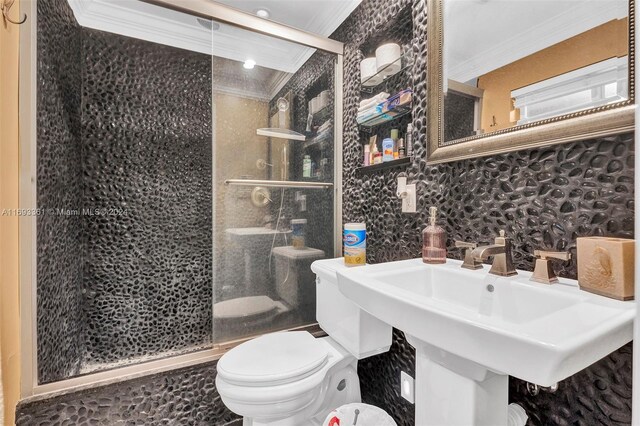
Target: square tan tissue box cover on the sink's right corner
[{"x": 605, "y": 266}]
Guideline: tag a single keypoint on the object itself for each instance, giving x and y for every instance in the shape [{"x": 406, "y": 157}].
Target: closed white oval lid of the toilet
[{"x": 273, "y": 359}]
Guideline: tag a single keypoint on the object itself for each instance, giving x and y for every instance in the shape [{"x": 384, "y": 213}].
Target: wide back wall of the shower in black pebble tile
[{"x": 147, "y": 151}]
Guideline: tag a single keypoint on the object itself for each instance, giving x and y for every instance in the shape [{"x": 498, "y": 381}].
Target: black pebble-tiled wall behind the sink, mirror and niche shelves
[{"x": 543, "y": 198}]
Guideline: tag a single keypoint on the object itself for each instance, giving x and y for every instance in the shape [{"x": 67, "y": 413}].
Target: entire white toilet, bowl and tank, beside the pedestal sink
[{"x": 294, "y": 379}]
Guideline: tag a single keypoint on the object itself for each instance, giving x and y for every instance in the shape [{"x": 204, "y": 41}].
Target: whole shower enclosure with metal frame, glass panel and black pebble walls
[{"x": 186, "y": 172}]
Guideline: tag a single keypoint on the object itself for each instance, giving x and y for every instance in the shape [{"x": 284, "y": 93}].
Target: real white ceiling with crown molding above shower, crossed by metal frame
[{"x": 135, "y": 18}]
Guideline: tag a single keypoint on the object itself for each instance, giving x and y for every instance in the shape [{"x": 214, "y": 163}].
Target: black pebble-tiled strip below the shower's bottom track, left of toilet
[{"x": 186, "y": 396}]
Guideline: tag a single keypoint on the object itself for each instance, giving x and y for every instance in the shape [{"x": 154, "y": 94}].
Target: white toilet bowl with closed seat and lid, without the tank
[{"x": 289, "y": 392}]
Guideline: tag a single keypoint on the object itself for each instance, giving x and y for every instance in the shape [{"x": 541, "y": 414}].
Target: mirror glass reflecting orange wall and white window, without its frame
[{"x": 513, "y": 62}]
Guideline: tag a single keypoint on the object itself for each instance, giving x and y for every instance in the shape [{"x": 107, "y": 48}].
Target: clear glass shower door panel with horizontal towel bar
[{"x": 273, "y": 177}]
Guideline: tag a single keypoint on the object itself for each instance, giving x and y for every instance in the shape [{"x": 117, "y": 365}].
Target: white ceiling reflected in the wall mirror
[{"x": 483, "y": 35}]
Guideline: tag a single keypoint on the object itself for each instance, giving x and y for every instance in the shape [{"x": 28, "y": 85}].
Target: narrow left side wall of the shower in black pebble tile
[{"x": 60, "y": 241}]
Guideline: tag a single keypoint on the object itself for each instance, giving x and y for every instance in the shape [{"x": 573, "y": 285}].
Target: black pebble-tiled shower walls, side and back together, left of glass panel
[{"x": 133, "y": 278}]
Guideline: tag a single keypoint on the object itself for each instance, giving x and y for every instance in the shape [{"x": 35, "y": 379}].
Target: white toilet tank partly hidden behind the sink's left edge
[{"x": 357, "y": 331}]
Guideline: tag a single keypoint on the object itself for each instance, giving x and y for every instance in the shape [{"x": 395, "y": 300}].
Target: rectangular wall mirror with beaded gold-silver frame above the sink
[{"x": 519, "y": 74}]
